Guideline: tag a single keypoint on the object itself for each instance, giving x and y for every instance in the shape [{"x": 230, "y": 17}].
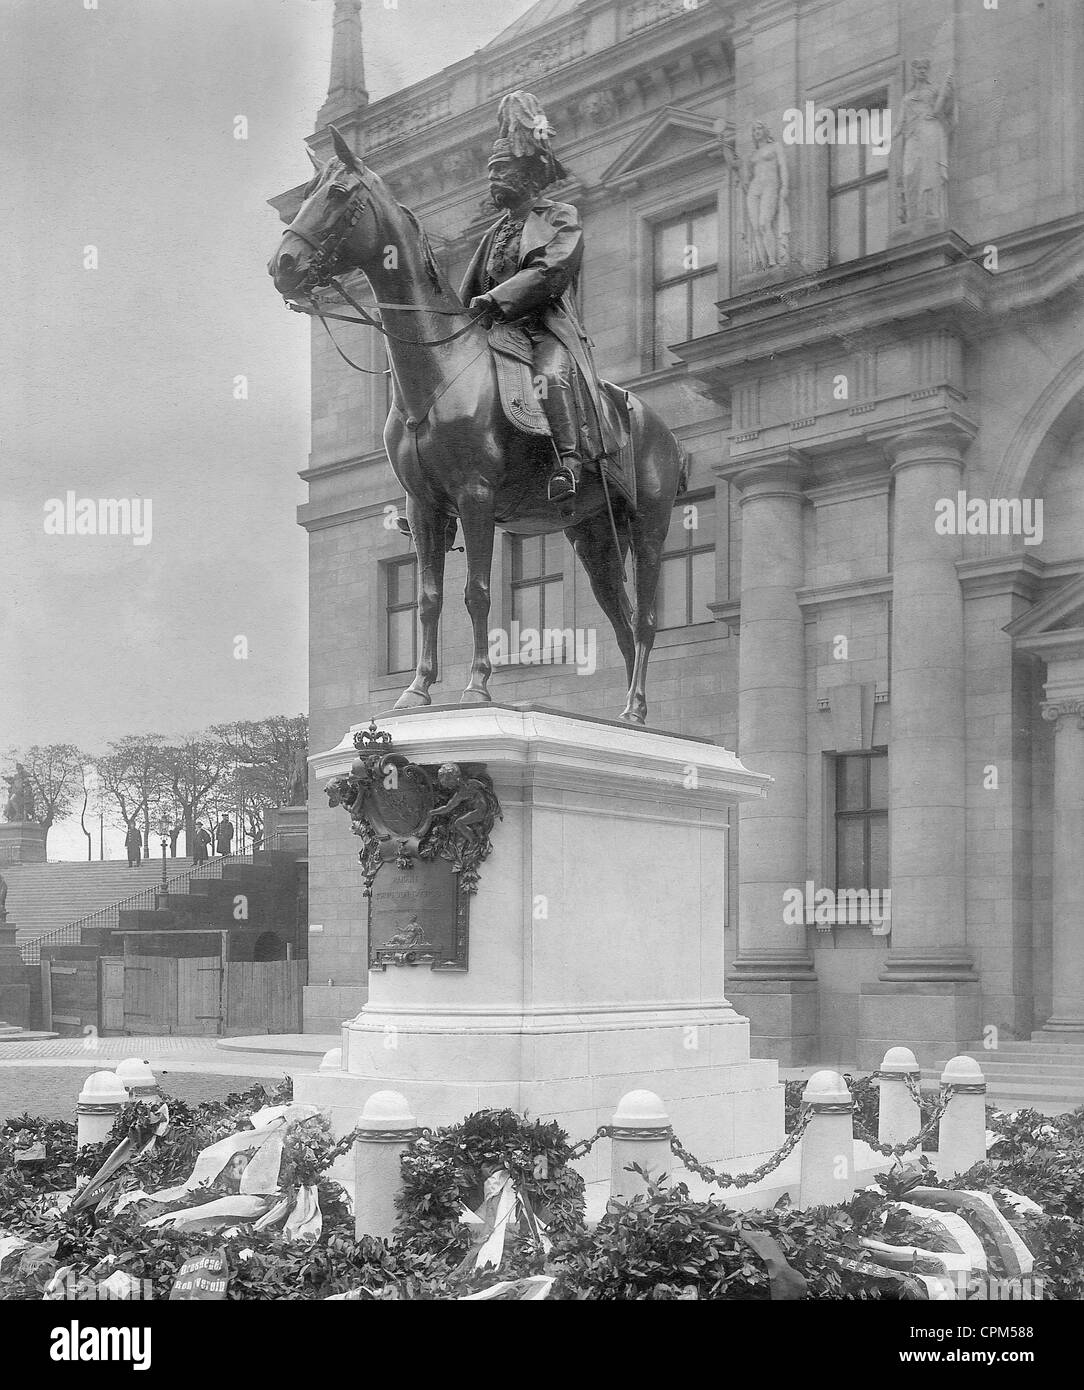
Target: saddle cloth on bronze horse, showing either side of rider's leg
[{"x": 514, "y": 361}]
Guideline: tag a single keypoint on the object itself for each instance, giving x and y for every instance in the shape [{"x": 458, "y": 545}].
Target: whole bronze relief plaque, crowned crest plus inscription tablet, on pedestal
[{"x": 425, "y": 833}]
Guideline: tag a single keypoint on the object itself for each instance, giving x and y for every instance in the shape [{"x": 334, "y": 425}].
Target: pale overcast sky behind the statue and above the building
[{"x": 119, "y": 382}]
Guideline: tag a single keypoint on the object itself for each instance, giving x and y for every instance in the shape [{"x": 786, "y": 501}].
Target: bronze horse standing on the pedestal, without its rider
[{"x": 450, "y": 443}]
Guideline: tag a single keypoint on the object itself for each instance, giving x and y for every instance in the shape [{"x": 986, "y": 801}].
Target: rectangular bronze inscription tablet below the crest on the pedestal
[{"x": 419, "y": 917}]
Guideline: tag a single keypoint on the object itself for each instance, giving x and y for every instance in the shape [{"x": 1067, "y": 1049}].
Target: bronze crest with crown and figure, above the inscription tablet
[{"x": 404, "y": 811}]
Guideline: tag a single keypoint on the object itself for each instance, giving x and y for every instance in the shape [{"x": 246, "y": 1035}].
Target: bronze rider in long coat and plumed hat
[{"x": 526, "y": 272}]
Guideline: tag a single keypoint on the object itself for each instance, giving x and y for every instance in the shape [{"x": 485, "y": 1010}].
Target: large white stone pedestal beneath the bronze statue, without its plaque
[{"x": 596, "y": 953}]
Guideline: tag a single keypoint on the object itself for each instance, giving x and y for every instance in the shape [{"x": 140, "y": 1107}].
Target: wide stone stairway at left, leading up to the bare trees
[{"x": 47, "y": 897}]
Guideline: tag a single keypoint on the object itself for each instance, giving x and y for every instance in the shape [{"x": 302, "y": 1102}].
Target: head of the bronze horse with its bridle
[{"x": 315, "y": 244}]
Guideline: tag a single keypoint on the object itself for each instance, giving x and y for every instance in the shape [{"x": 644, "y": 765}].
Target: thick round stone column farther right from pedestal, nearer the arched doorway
[{"x": 928, "y": 992}]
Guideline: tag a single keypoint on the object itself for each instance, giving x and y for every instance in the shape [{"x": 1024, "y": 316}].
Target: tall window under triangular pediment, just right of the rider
[{"x": 684, "y": 281}]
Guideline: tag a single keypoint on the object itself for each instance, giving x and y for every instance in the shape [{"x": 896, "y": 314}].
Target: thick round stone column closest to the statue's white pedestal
[{"x": 772, "y": 978}]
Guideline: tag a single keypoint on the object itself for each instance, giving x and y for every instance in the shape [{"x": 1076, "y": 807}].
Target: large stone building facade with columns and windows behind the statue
[{"x": 840, "y": 248}]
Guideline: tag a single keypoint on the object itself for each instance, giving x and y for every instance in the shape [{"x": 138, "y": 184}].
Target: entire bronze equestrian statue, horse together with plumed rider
[{"x": 498, "y": 416}]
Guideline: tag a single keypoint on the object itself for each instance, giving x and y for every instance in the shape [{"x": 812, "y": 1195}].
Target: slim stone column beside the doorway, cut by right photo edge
[{"x": 1068, "y": 719}]
